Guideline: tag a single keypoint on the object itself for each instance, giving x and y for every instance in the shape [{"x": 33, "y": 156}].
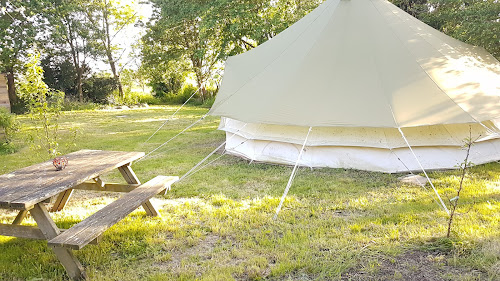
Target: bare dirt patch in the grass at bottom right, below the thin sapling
[{"x": 415, "y": 266}]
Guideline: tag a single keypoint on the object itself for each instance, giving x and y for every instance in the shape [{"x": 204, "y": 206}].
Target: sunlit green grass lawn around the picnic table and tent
[{"x": 217, "y": 224}]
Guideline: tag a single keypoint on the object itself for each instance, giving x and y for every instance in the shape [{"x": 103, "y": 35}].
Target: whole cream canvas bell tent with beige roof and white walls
[{"x": 361, "y": 84}]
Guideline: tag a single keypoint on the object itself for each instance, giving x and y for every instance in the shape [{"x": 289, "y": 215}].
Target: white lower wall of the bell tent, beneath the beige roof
[{"x": 362, "y": 148}]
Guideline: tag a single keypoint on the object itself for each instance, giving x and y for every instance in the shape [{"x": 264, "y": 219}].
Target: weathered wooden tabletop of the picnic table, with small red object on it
[{"x": 23, "y": 188}]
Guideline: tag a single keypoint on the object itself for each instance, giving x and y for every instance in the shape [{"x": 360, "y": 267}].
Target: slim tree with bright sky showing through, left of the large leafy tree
[{"x": 109, "y": 18}]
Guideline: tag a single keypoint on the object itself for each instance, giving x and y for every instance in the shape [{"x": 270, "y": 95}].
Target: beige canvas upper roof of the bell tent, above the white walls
[{"x": 360, "y": 63}]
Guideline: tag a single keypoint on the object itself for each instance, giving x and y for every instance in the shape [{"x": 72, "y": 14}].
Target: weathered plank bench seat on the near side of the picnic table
[{"x": 79, "y": 235}]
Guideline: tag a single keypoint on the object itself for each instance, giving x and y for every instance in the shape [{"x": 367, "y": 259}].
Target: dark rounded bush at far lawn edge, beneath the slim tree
[{"x": 99, "y": 89}]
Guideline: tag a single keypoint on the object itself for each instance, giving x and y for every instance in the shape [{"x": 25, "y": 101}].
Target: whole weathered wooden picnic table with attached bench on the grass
[{"x": 30, "y": 189}]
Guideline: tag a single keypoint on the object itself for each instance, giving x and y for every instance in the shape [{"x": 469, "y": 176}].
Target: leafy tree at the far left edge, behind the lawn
[{"x": 18, "y": 28}]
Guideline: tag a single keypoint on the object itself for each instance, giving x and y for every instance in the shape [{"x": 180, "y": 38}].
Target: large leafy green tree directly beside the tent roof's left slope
[{"x": 204, "y": 33}]
